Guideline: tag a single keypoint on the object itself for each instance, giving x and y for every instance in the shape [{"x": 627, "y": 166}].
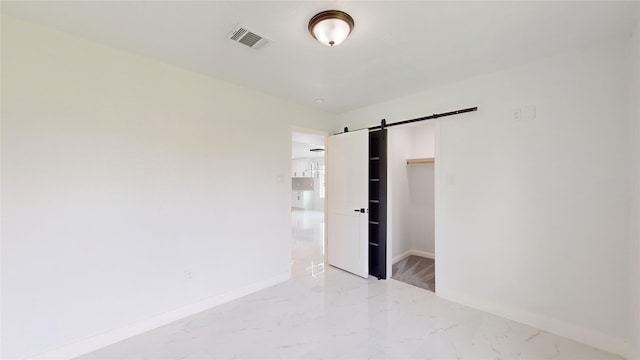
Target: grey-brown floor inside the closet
[{"x": 417, "y": 271}]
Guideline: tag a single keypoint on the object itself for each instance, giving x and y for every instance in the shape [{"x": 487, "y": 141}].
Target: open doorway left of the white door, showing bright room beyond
[{"x": 307, "y": 203}]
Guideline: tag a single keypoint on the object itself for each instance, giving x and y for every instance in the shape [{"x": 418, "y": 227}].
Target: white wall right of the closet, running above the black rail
[{"x": 534, "y": 227}]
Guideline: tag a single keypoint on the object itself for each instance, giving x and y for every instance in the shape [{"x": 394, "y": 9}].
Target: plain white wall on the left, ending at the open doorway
[{"x": 120, "y": 173}]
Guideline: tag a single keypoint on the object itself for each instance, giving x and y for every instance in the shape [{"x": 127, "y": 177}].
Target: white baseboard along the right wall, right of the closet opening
[{"x": 558, "y": 327}]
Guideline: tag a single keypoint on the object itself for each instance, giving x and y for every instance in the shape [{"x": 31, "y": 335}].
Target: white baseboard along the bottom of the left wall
[{"x": 84, "y": 346}]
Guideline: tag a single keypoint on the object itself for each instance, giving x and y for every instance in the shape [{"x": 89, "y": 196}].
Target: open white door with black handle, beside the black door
[{"x": 348, "y": 198}]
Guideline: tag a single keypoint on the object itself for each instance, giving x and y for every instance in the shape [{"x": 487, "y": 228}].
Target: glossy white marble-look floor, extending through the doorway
[{"x": 326, "y": 313}]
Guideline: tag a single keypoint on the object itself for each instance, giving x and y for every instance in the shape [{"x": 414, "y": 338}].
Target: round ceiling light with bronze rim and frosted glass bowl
[{"x": 331, "y": 27}]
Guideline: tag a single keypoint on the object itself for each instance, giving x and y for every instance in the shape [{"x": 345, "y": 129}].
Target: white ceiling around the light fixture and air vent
[{"x": 396, "y": 48}]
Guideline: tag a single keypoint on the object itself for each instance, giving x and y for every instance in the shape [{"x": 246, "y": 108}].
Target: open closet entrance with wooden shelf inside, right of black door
[{"x": 411, "y": 212}]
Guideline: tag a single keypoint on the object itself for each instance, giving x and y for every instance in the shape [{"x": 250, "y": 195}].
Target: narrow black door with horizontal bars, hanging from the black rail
[{"x": 378, "y": 203}]
